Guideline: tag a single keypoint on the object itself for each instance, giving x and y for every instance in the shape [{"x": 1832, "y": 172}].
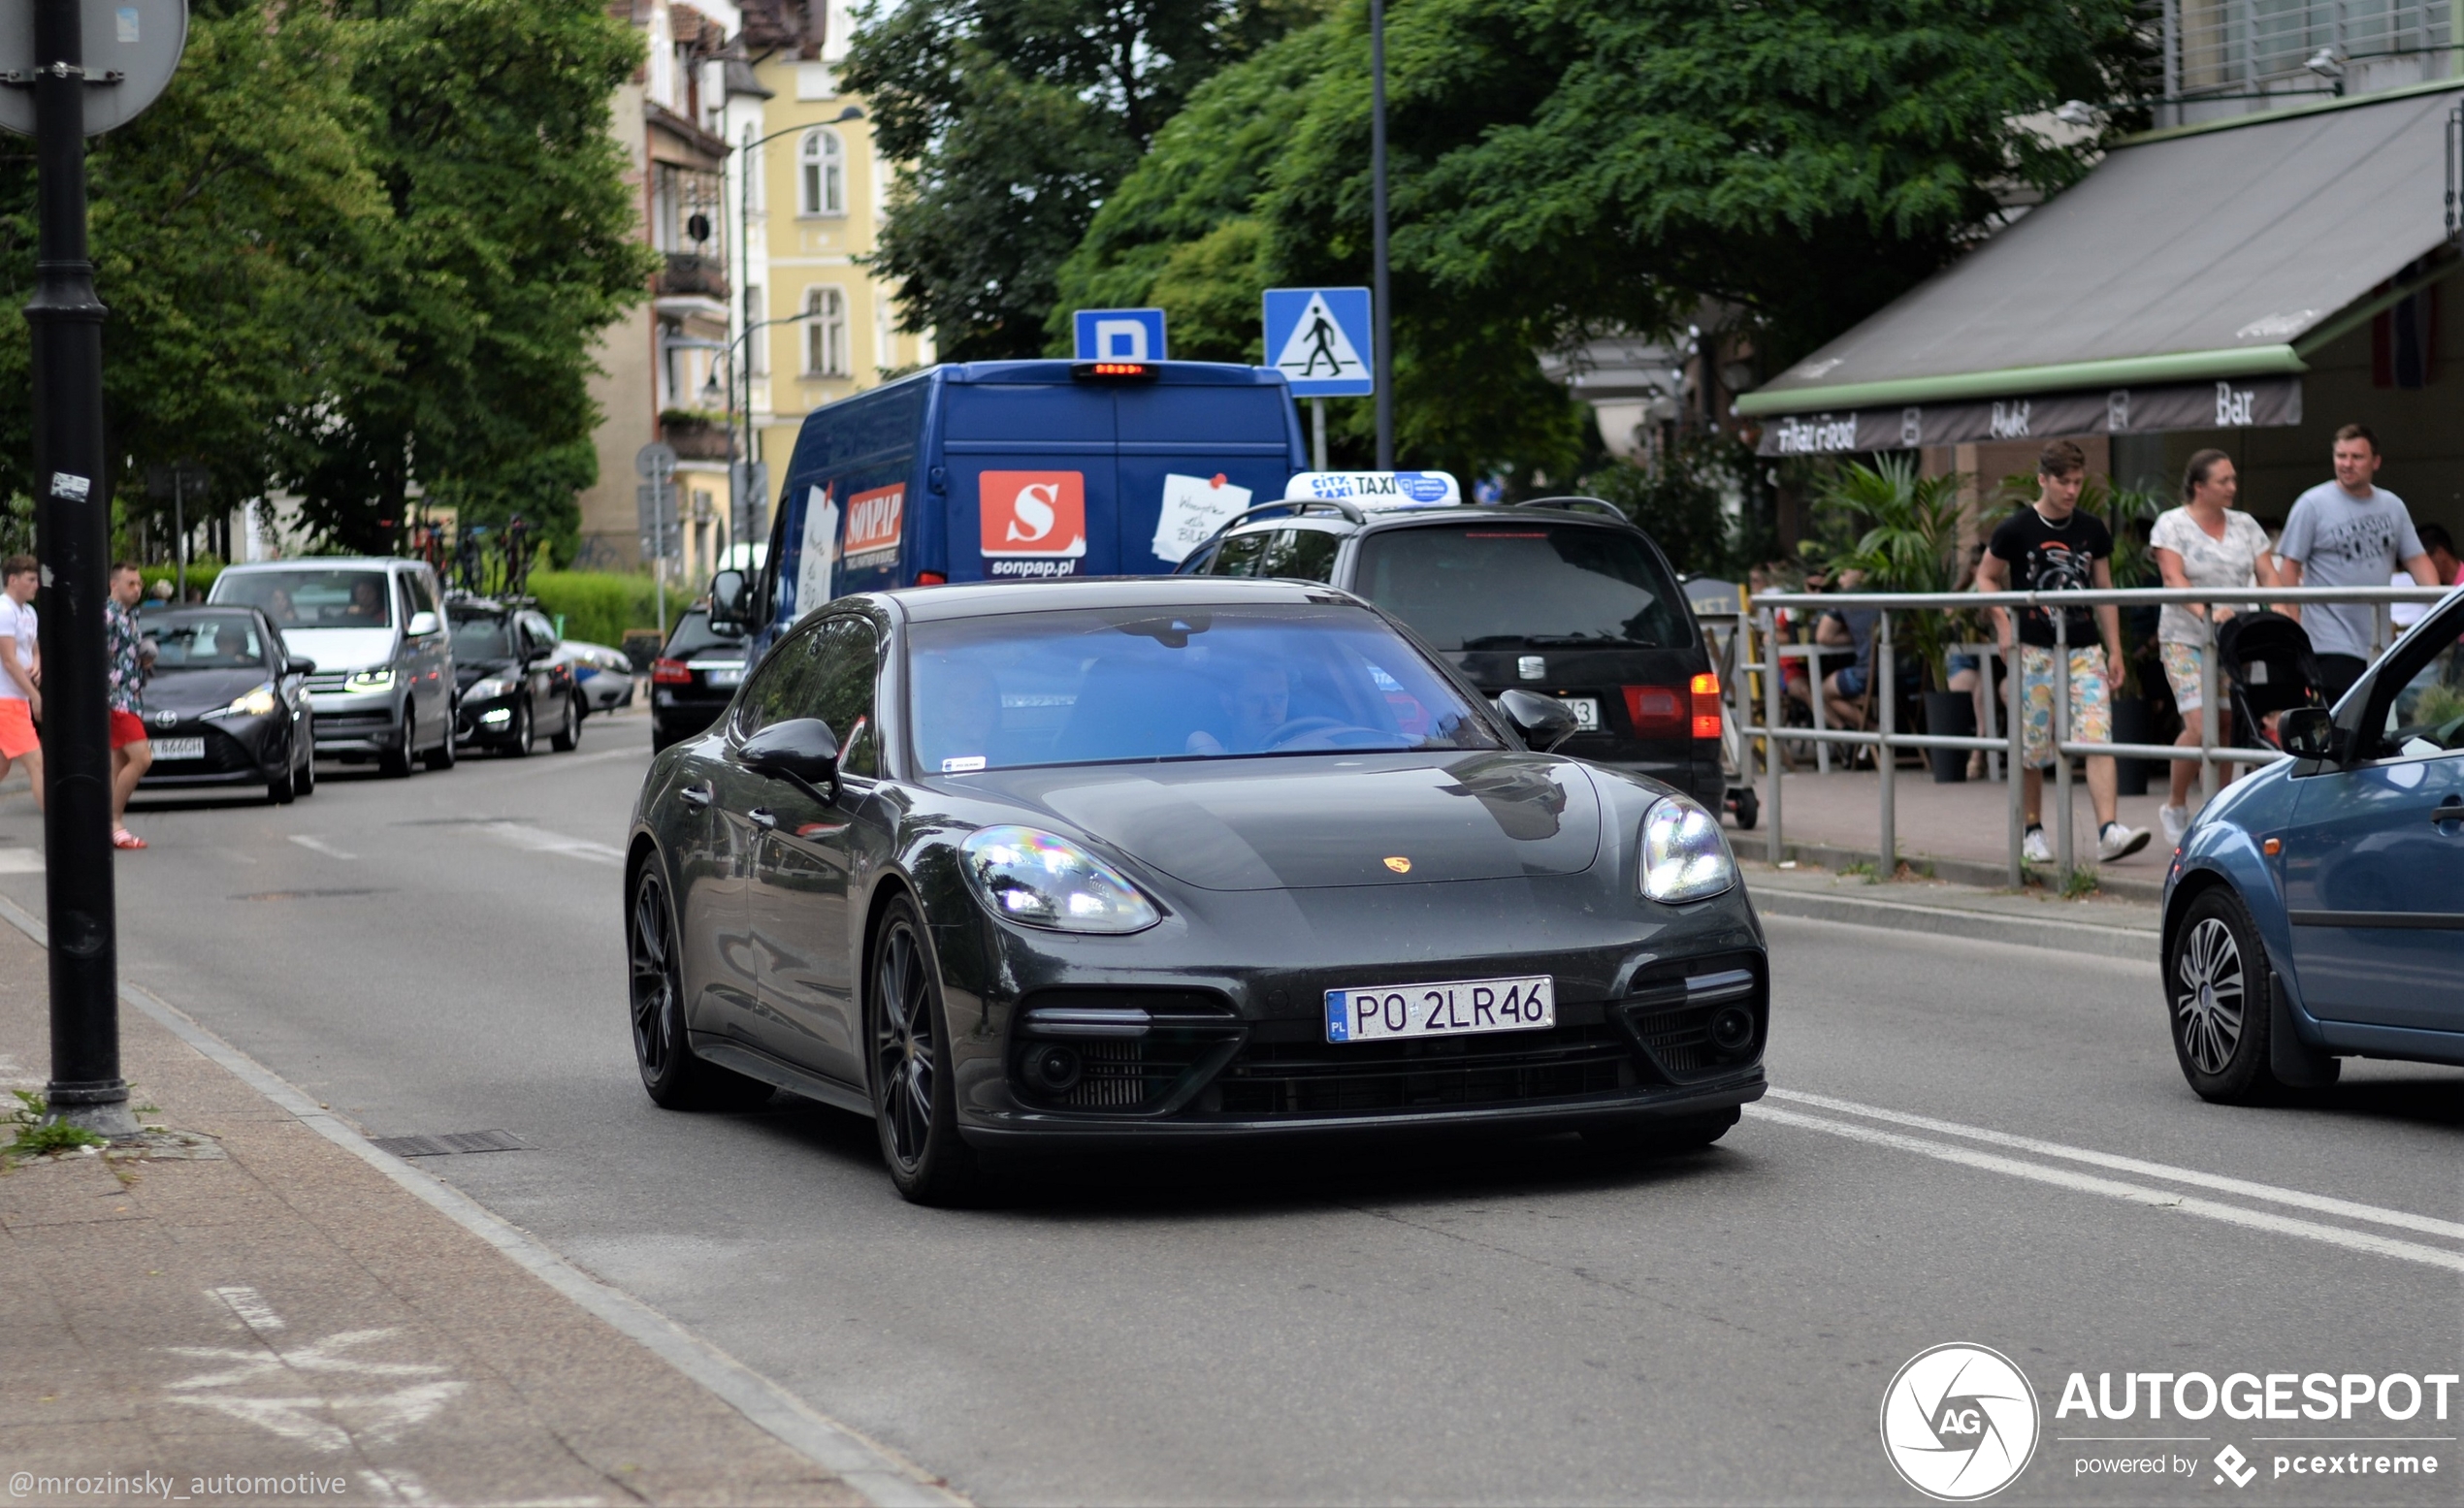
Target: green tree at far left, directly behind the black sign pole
[{"x": 235, "y": 230}]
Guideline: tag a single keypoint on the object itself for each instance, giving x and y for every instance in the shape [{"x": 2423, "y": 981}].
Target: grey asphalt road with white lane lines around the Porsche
[{"x": 1509, "y": 1322}]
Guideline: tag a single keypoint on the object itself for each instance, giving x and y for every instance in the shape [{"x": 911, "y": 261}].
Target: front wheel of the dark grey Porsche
[{"x": 915, "y": 1105}]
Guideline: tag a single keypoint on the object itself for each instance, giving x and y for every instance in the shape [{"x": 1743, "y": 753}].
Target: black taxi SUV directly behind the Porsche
[{"x": 1558, "y": 595}]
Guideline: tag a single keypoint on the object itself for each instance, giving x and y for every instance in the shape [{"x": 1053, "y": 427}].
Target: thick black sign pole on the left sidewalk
[{"x": 73, "y": 531}]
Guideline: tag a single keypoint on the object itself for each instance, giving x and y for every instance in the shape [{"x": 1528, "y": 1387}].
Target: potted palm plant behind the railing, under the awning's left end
[{"x": 1906, "y": 538}]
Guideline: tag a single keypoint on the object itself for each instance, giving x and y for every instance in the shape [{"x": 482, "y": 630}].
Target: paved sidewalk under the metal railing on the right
[{"x": 1965, "y": 827}]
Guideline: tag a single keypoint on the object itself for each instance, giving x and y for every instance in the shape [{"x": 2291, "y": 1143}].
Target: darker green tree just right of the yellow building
[{"x": 1014, "y": 122}]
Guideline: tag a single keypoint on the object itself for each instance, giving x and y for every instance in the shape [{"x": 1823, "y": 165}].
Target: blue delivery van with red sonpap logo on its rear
[{"x": 982, "y": 472}]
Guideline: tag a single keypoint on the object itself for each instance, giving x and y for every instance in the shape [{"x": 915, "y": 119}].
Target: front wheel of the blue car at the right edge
[{"x": 2216, "y": 994}]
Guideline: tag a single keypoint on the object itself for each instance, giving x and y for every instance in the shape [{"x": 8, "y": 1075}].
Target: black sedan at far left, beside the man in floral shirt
[{"x": 228, "y": 703}]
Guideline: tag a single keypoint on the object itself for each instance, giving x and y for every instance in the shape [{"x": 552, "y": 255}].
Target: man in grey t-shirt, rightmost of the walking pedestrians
[{"x": 2349, "y": 533}]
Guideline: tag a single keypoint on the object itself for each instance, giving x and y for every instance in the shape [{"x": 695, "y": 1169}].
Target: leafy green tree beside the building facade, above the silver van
[{"x": 511, "y": 245}]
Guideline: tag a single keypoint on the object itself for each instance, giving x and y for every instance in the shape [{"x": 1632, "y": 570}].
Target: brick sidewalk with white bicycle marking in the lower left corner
[{"x": 265, "y": 1307}]
